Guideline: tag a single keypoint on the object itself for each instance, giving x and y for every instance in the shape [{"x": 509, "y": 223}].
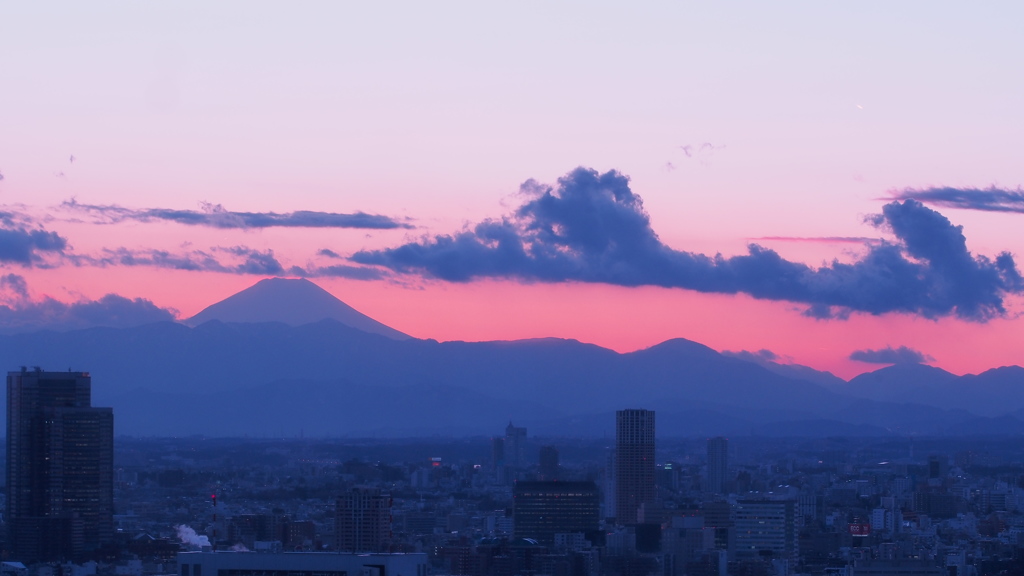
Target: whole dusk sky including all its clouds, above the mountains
[{"x": 785, "y": 178}]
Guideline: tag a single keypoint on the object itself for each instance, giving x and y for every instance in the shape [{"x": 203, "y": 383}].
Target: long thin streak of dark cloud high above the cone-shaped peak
[{"x": 215, "y": 216}]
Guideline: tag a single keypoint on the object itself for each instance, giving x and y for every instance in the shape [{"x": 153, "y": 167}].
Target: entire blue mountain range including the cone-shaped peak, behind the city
[{"x": 328, "y": 378}]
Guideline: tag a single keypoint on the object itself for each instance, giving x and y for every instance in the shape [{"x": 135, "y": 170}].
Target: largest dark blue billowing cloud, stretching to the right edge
[{"x": 592, "y": 228}]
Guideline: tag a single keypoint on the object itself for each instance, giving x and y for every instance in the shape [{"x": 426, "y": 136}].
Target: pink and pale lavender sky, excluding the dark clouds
[{"x": 435, "y": 116}]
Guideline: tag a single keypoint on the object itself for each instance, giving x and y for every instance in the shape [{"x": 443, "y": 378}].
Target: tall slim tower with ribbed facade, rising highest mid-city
[{"x": 634, "y": 464}]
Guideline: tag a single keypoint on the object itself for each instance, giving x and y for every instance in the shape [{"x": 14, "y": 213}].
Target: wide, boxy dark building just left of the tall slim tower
[{"x": 545, "y": 509}]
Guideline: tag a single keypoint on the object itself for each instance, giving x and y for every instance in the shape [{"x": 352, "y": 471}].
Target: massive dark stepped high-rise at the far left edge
[{"x": 60, "y": 467}]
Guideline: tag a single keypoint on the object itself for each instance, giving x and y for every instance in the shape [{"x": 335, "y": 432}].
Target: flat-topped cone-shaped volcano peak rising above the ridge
[{"x": 291, "y": 302}]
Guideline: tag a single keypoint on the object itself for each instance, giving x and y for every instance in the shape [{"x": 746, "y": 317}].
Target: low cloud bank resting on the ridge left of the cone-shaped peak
[{"x": 20, "y": 314}]
